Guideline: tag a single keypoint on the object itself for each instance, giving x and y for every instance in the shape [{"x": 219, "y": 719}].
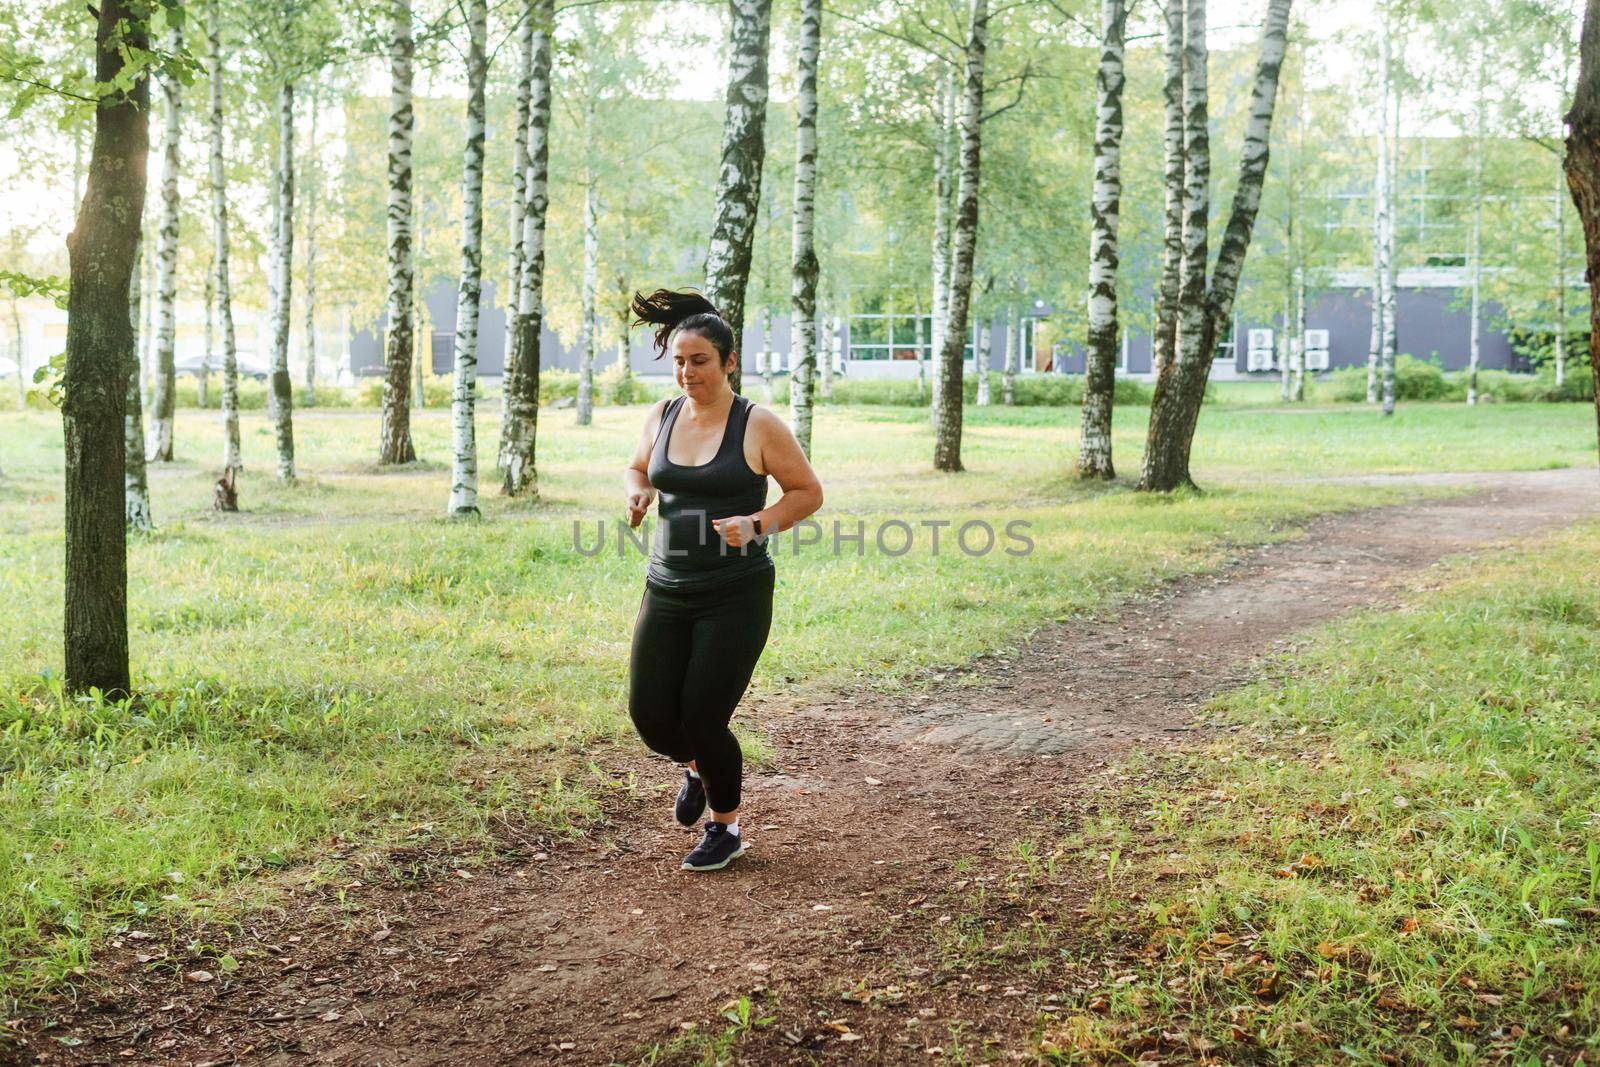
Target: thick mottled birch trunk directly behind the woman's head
[{"x": 743, "y": 154}]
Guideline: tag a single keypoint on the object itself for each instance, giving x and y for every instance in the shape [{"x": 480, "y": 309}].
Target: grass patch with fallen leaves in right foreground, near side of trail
[{"x": 1399, "y": 857}]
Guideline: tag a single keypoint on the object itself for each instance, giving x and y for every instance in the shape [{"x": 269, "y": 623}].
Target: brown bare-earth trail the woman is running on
[{"x": 871, "y": 813}]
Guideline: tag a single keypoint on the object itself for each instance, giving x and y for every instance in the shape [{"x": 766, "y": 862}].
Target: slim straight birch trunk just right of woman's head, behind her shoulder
[{"x": 806, "y": 270}]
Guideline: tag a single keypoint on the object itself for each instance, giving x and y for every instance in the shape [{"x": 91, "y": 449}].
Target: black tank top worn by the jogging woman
[{"x": 687, "y": 551}]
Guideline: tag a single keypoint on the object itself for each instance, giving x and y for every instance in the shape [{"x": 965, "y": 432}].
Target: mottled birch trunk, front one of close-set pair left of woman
[{"x": 521, "y": 478}]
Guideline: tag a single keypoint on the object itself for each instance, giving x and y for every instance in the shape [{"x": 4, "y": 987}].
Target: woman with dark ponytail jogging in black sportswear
[{"x": 710, "y": 591}]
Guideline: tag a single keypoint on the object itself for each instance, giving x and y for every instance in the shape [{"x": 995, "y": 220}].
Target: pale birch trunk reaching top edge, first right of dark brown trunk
[{"x": 166, "y": 378}]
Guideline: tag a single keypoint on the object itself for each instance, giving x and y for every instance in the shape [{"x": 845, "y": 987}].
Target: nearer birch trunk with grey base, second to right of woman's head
[{"x": 948, "y": 433}]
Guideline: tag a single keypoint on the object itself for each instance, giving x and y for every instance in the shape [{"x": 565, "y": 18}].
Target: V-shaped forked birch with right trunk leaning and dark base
[{"x": 1207, "y": 310}]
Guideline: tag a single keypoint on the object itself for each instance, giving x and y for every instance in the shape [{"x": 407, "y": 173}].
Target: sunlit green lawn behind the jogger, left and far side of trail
[{"x": 340, "y": 665}]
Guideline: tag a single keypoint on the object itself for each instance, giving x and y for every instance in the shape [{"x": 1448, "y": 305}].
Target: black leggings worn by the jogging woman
[{"x": 692, "y": 661}]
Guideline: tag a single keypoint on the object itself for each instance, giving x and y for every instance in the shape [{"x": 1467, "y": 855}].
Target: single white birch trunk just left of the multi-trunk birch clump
[{"x": 1100, "y": 380}]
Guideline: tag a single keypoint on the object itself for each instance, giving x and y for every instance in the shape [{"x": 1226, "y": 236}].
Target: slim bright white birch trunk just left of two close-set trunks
[{"x": 463, "y": 402}]
